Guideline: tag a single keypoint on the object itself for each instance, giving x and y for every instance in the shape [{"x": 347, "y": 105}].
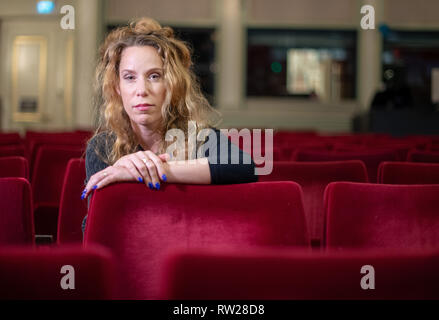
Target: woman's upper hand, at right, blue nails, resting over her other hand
[{"x": 145, "y": 166}]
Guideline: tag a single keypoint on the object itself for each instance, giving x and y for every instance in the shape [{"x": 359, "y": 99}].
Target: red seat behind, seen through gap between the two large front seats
[{"x": 313, "y": 177}]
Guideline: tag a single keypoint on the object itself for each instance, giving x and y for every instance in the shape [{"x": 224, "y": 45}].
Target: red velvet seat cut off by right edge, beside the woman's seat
[{"x": 361, "y": 215}]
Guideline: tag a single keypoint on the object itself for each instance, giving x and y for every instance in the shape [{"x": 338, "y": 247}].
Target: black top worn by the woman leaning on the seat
[{"x": 228, "y": 164}]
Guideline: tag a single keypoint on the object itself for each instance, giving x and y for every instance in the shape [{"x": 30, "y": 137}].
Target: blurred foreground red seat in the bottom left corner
[{"x": 37, "y": 273}]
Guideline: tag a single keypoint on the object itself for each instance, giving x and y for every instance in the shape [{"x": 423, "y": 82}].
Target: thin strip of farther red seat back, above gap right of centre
[{"x": 371, "y": 158}]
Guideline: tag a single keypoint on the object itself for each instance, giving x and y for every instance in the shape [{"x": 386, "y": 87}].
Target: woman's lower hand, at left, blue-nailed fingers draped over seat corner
[{"x": 105, "y": 177}]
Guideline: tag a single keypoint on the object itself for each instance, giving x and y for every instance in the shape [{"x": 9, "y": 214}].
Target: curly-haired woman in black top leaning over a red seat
[{"x": 147, "y": 91}]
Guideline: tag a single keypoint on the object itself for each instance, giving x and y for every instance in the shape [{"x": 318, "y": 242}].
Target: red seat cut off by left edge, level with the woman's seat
[{"x": 16, "y": 222}]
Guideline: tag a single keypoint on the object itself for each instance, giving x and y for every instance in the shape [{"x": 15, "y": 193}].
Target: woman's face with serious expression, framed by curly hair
[{"x": 141, "y": 85}]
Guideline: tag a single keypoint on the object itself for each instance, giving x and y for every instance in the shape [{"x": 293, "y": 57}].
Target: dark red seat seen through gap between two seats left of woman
[{"x": 47, "y": 181}]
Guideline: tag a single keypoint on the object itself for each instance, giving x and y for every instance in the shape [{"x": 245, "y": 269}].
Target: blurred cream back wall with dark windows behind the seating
[{"x": 290, "y": 64}]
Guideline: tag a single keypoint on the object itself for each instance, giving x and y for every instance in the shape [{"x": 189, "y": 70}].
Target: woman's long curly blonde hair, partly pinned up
[{"x": 184, "y": 101}]
